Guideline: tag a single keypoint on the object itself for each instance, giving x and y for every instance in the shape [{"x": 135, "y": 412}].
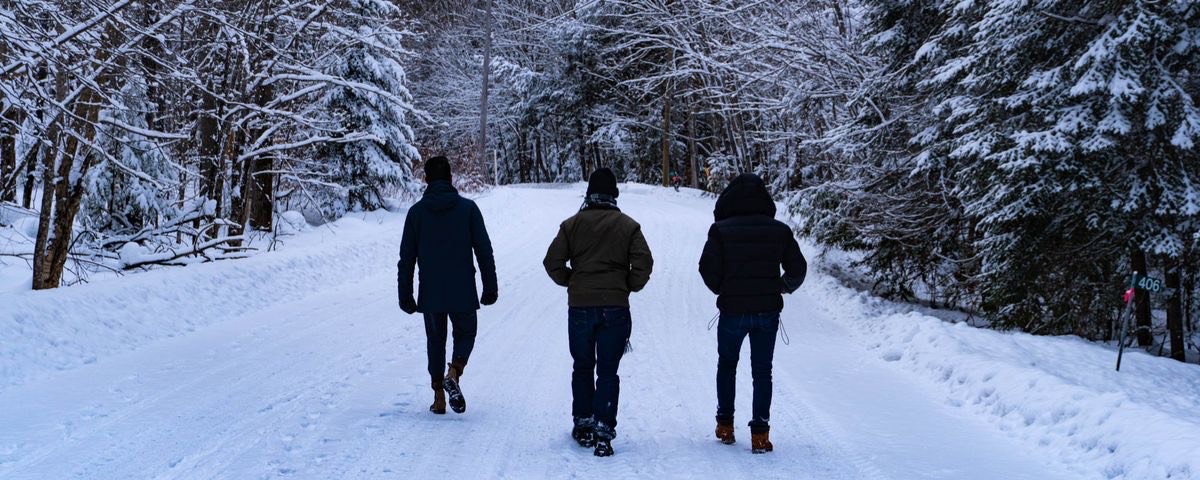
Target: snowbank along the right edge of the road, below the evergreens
[{"x": 1058, "y": 394}]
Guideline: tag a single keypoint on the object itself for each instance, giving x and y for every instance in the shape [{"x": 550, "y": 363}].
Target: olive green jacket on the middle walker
[{"x": 609, "y": 259}]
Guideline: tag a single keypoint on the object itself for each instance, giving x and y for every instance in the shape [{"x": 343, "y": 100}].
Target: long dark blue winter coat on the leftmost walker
[{"x": 441, "y": 233}]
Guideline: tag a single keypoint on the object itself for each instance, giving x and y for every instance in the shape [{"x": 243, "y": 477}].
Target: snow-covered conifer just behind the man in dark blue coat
[{"x": 380, "y": 106}]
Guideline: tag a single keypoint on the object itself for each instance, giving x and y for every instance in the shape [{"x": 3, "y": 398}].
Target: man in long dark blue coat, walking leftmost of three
[{"x": 441, "y": 233}]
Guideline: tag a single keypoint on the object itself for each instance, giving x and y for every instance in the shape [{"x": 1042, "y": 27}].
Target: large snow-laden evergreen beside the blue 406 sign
[{"x": 1087, "y": 151}]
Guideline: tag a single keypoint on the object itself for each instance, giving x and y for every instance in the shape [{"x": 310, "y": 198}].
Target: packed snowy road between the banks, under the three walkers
[{"x": 333, "y": 386}]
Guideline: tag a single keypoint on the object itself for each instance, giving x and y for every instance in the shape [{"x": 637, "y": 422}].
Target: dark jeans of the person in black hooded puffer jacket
[{"x": 731, "y": 332}]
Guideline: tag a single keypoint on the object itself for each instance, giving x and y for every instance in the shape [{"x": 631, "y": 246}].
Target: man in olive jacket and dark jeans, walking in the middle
[{"x": 609, "y": 259}]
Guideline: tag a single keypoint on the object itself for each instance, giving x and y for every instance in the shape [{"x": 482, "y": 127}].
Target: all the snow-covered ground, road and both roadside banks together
[{"x": 299, "y": 364}]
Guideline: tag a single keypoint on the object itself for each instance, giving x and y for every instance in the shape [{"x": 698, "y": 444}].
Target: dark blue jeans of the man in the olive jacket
[{"x": 598, "y": 338}]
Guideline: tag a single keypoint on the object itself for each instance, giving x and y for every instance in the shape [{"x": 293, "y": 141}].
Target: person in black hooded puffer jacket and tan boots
[{"x": 741, "y": 265}]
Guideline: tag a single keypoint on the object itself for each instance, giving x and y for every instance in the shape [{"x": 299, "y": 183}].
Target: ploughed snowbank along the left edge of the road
[{"x": 65, "y": 328}]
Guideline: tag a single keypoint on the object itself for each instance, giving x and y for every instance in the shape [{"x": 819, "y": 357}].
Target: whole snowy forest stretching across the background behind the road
[{"x": 1017, "y": 161}]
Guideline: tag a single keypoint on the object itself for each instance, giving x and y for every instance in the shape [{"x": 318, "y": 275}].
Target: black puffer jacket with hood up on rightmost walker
[{"x": 746, "y": 249}]
